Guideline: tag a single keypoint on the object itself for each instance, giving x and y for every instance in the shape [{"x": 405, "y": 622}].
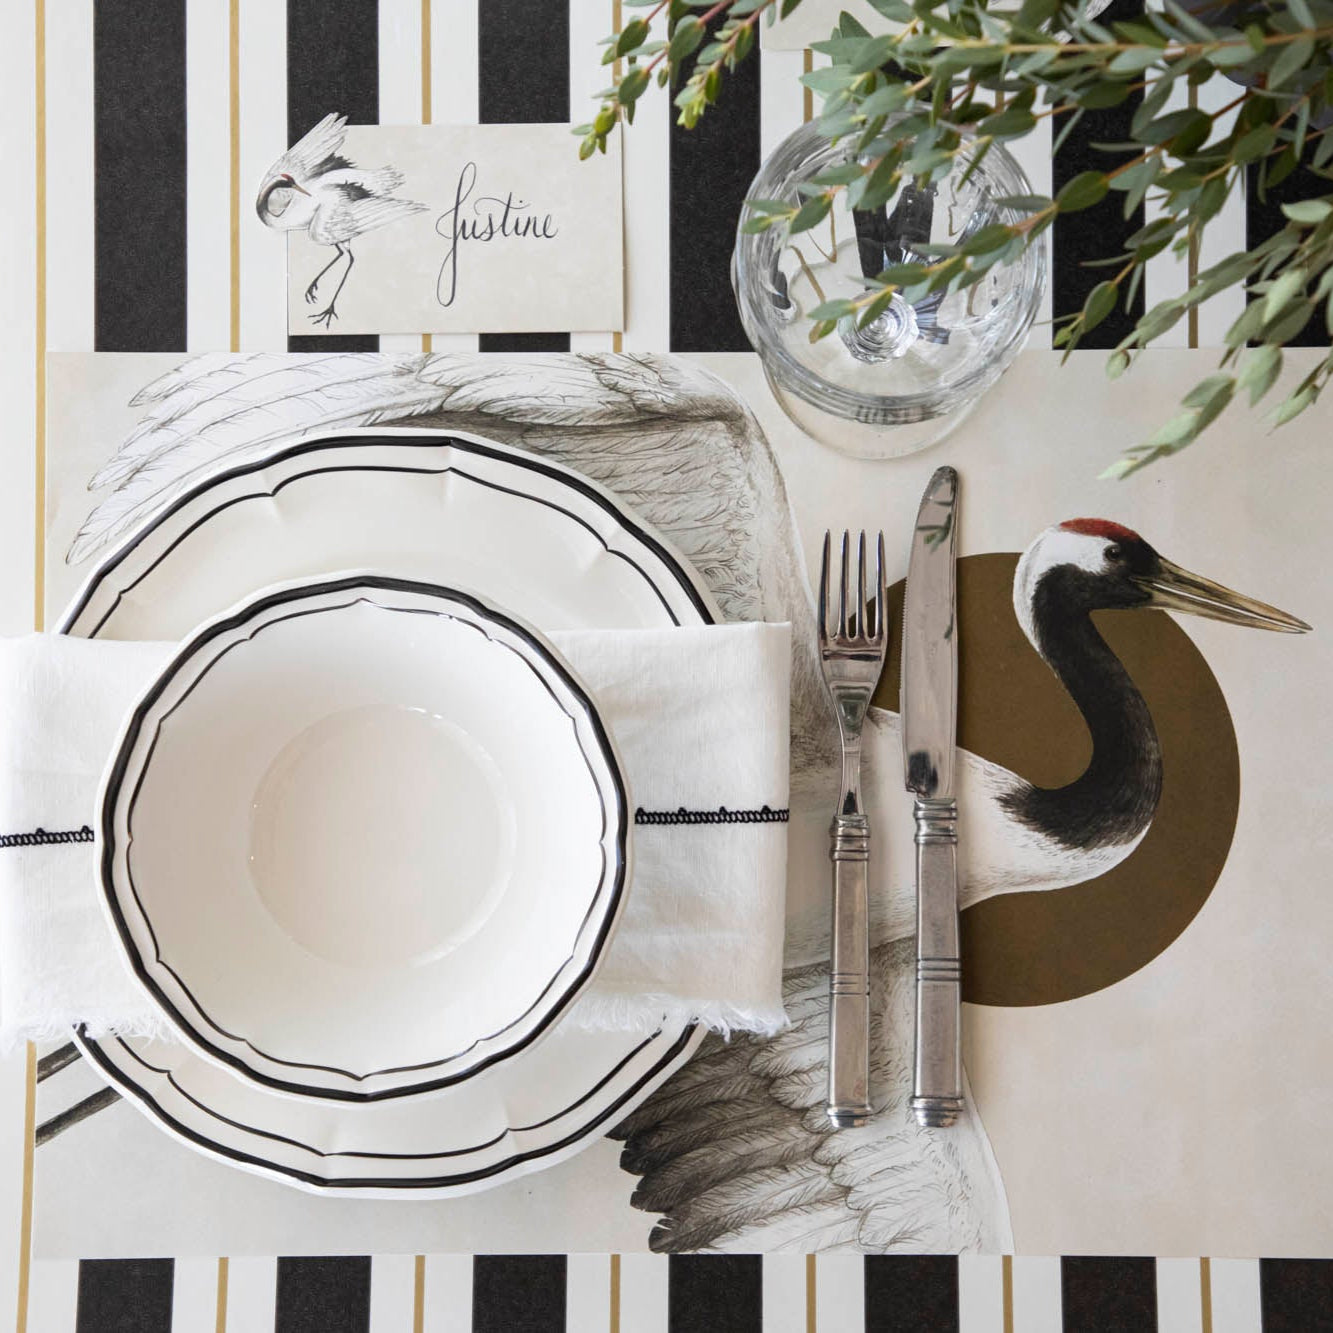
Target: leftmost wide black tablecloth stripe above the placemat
[{"x": 139, "y": 175}]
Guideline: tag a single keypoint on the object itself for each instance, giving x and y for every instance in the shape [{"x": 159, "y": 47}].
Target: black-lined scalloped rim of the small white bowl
[{"x": 122, "y": 764}]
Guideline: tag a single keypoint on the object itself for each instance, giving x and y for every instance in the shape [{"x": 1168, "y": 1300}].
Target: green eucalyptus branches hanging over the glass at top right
[{"x": 950, "y": 79}]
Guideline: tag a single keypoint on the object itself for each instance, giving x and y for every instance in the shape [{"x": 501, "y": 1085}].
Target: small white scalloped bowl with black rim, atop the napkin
[{"x": 363, "y": 836}]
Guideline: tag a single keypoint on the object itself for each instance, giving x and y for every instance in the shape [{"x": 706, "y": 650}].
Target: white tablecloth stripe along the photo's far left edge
[{"x": 18, "y": 365}]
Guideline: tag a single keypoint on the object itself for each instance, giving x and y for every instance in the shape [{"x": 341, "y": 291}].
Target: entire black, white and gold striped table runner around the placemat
[{"x": 137, "y": 135}]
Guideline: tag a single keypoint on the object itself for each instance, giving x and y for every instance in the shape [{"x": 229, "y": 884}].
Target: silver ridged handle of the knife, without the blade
[{"x": 938, "y": 1082}]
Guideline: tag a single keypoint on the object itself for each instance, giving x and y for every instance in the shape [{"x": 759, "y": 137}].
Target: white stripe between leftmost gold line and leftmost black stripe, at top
[{"x": 70, "y": 178}]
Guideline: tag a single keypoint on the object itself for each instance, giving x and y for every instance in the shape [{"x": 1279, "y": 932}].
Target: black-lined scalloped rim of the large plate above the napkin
[{"x": 554, "y": 473}]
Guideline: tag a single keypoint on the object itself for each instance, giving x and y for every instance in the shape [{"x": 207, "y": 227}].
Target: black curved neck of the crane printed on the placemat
[{"x": 1115, "y": 799}]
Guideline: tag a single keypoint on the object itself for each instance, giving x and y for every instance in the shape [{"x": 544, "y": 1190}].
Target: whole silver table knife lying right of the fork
[{"x": 930, "y": 728}]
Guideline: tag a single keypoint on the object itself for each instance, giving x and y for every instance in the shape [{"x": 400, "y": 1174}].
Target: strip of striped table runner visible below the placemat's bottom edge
[{"x": 638, "y": 1294}]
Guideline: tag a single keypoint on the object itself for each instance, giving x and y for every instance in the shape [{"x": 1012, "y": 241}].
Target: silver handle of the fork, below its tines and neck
[{"x": 850, "y": 983}]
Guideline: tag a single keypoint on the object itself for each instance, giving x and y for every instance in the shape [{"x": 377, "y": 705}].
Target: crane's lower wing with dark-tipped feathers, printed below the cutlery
[{"x": 750, "y": 1170}]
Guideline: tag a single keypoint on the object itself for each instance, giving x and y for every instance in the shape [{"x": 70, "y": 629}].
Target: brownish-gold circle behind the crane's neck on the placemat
[{"x": 1042, "y": 948}]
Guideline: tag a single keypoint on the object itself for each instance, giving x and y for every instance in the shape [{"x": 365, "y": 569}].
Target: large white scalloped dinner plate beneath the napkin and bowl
[{"x": 554, "y": 549}]
